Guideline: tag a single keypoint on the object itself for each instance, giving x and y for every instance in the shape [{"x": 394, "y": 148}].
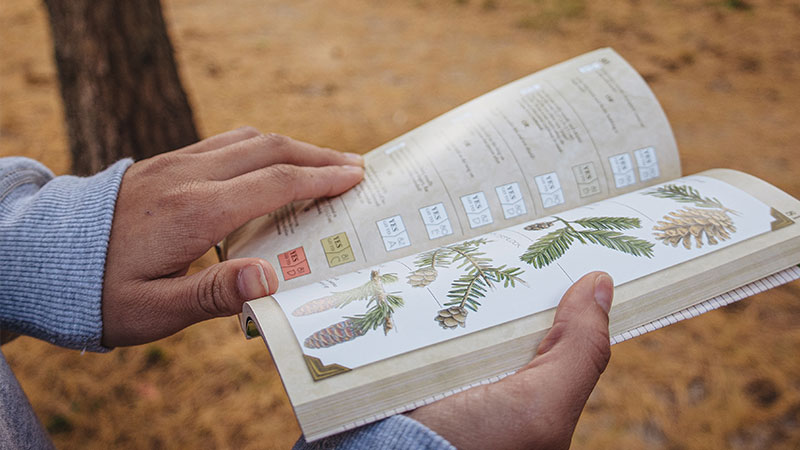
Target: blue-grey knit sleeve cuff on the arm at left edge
[{"x": 54, "y": 235}]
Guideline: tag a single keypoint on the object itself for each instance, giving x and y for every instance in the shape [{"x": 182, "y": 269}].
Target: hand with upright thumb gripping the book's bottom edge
[{"x": 539, "y": 406}]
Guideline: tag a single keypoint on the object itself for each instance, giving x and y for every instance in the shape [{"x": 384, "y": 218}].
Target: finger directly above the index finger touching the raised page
[{"x": 268, "y": 149}]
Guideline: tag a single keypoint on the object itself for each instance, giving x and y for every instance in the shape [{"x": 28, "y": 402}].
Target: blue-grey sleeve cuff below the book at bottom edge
[{"x": 397, "y": 433}]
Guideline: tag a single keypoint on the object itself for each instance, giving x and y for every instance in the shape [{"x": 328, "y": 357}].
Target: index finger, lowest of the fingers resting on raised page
[{"x": 263, "y": 191}]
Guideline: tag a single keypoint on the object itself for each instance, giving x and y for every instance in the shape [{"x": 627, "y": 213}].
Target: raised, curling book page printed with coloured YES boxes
[{"x": 572, "y": 134}]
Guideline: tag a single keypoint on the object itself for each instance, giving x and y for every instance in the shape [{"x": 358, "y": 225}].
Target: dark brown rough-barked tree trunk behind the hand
[{"x": 120, "y": 85}]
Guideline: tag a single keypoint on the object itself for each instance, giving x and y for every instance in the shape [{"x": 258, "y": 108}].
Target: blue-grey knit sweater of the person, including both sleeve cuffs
[{"x": 54, "y": 235}]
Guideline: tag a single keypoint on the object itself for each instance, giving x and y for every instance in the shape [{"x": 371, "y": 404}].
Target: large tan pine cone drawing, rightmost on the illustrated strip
[{"x": 684, "y": 224}]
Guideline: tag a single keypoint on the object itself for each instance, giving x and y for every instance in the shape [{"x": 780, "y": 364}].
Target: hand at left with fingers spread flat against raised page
[{"x": 174, "y": 207}]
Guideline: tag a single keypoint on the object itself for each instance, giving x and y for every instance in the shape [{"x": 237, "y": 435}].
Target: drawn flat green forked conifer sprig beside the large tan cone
[{"x": 603, "y": 231}]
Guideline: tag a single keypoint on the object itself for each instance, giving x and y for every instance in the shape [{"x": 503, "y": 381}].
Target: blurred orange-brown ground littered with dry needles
[{"x": 352, "y": 74}]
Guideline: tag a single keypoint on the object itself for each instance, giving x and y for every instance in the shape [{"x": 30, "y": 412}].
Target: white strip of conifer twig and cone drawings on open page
[{"x": 459, "y": 288}]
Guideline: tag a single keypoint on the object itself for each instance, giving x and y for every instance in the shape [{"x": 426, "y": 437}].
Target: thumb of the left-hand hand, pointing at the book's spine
[{"x": 175, "y": 303}]
